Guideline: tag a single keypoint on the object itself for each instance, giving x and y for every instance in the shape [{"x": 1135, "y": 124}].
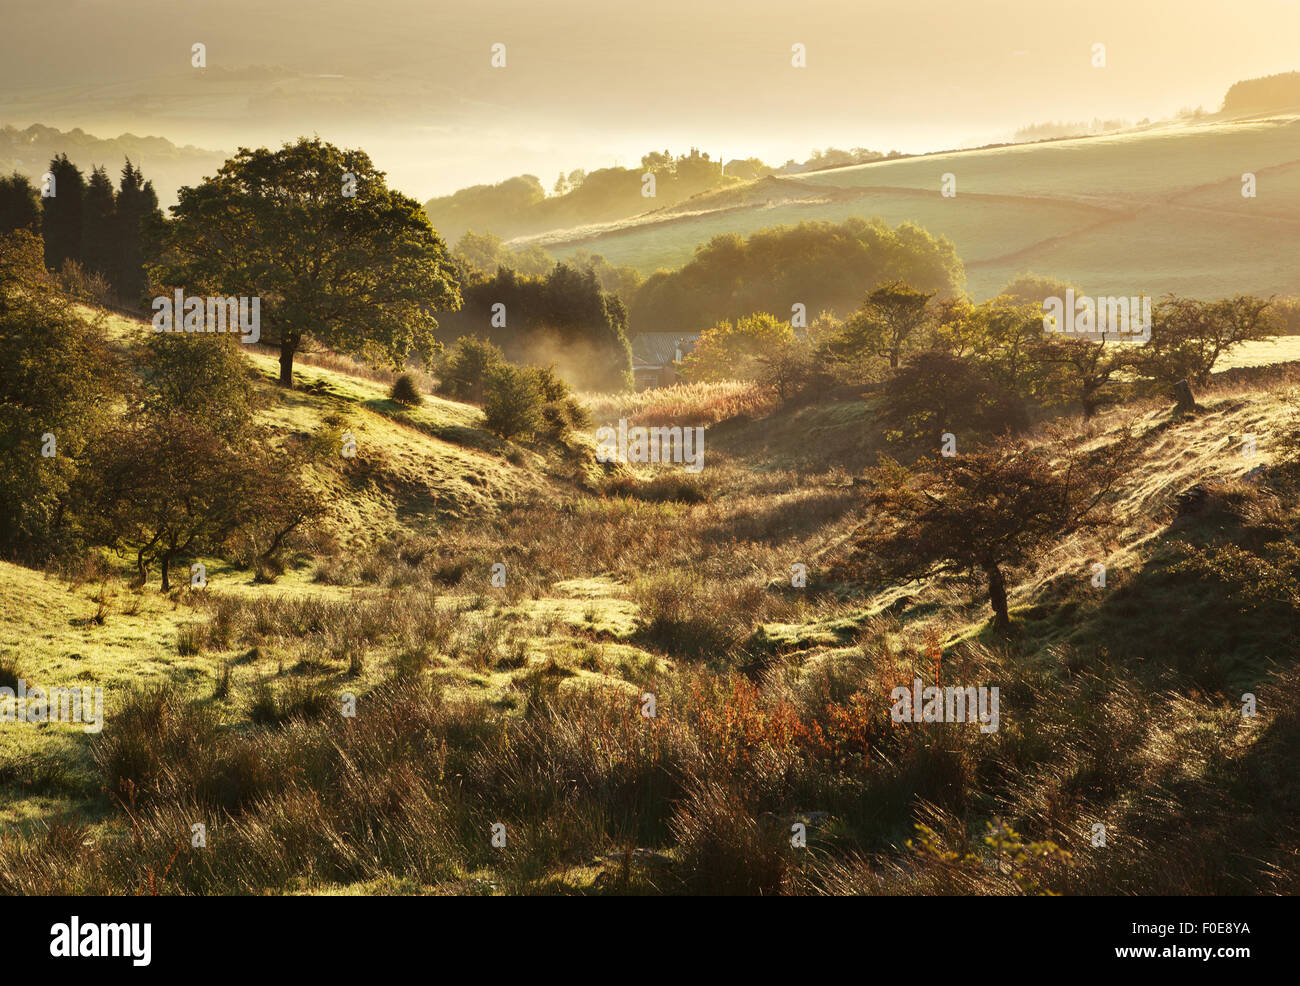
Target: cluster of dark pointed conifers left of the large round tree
[{"x": 98, "y": 239}]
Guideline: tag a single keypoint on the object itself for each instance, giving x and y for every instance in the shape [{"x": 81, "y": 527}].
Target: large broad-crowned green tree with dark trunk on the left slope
[{"x": 361, "y": 274}]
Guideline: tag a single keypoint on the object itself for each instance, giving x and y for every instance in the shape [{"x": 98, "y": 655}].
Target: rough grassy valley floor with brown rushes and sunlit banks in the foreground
[{"x": 523, "y": 702}]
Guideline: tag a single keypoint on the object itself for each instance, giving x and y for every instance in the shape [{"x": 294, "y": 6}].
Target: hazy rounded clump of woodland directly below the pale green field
[{"x": 826, "y": 267}]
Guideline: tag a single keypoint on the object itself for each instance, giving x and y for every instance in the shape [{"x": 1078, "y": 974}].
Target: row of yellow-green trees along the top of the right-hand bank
[{"x": 977, "y": 370}]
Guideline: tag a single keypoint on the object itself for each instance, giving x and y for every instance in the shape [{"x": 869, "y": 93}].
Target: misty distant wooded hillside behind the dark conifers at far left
[{"x": 164, "y": 163}]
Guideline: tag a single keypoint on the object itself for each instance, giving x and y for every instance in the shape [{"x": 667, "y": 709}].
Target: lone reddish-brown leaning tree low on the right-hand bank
[{"x": 981, "y": 513}]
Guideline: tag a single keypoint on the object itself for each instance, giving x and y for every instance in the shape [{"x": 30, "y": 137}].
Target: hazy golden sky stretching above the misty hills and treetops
[{"x": 591, "y": 84}]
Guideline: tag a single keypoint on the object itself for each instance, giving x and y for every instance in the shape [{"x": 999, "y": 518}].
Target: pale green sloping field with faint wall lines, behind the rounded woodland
[{"x": 1151, "y": 211}]
